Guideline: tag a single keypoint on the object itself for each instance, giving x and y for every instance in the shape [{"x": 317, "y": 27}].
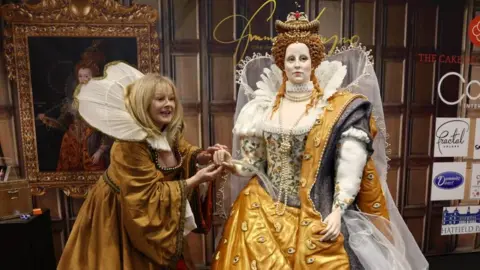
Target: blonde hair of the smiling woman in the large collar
[{"x": 139, "y": 96}]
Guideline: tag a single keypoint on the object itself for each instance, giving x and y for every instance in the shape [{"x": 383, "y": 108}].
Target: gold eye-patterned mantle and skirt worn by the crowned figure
[{"x": 255, "y": 237}]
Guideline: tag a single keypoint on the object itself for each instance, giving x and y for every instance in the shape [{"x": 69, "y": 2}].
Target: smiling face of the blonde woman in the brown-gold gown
[{"x": 162, "y": 108}]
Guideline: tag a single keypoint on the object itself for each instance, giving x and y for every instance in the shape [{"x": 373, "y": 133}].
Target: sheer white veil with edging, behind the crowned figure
[{"x": 378, "y": 243}]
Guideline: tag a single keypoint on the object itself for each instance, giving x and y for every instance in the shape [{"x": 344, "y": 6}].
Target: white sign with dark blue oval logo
[{"x": 448, "y": 181}]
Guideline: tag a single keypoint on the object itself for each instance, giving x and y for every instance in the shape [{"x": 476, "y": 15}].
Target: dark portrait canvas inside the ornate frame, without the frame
[{"x": 58, "y": 65}]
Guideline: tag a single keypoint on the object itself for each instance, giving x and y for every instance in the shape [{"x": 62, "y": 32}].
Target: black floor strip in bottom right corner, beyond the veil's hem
[{"x": 465, "y": 261}]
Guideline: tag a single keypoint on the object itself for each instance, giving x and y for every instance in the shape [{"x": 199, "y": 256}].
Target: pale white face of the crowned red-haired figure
[{"x": 298, "y": 64}]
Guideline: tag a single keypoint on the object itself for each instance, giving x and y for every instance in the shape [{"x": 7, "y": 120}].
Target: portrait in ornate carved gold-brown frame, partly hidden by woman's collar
[{"x": 50, "y": 49}]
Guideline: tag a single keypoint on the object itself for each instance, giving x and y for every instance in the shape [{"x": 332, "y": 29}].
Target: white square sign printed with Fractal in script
[{"x": 451, "y": 137}]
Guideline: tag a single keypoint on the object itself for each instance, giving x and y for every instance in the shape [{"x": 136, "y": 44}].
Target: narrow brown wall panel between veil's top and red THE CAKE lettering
[{"x": 394, "y": 81}]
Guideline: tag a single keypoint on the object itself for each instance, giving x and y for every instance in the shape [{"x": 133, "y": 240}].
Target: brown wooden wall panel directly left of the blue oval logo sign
[{"x": 417, "y": 182}]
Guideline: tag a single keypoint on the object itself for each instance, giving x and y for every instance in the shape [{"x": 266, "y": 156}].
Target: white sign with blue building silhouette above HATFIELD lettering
[{"x": 461, "y": 220}]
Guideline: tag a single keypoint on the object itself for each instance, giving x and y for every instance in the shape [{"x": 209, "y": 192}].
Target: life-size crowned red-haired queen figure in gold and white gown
[{"x": 310, "y": 173}]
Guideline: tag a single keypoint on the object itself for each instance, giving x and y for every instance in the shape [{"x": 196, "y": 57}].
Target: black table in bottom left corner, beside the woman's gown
[{"x": 27, "y": 244}]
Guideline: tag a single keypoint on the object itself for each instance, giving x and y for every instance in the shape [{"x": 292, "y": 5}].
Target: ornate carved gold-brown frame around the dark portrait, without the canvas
[{"x": 68, "y": 18}]
